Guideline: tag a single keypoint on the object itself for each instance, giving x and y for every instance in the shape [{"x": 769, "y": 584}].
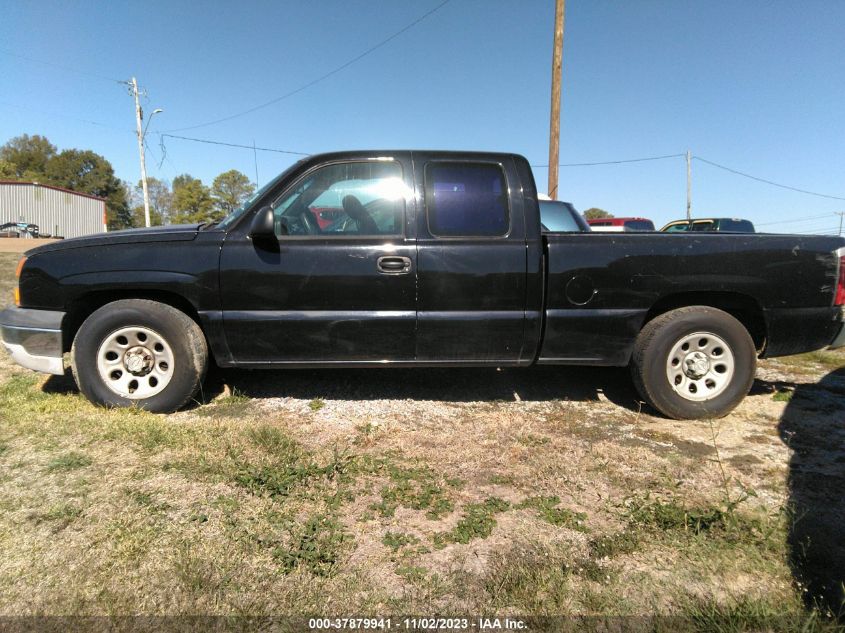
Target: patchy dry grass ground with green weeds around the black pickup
[{"x": 434, "y": 506}]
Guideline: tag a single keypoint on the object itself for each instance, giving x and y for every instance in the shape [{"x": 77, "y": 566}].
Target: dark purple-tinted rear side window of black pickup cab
[{"x": 466, "y": 199}]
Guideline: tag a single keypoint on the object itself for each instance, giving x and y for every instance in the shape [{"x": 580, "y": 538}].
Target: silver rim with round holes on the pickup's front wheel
[{"x": 135, "y": 362}]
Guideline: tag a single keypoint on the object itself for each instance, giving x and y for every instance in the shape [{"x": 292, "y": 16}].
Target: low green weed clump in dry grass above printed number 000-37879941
[{"x": 315, "y": 546}]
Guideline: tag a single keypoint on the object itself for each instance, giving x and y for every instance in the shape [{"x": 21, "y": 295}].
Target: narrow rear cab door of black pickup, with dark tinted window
[{"x": 471, "y": 260}]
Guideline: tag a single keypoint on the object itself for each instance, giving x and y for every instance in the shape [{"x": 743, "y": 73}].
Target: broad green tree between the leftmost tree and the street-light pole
[{"x": 87, "y": 172}]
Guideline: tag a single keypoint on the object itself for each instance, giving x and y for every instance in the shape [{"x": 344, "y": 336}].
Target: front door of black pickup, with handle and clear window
[{"x": 340, "y": 284}]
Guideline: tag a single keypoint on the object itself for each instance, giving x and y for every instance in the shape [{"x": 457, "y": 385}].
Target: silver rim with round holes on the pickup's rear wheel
[{"x": 700, "y": 366}]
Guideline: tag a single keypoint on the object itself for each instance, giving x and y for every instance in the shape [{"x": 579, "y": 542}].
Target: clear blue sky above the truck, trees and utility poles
[{"x": 756, "y": 86}]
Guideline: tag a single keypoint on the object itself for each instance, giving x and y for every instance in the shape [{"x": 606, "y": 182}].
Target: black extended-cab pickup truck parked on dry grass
[{"x": 419, "y": 258}]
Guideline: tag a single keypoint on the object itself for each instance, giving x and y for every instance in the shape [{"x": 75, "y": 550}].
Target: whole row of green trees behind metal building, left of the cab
[{"x": 35, "y": 159}]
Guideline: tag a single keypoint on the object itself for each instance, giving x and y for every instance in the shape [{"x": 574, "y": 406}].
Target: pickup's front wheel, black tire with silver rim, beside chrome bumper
[{"x": 186, "y": 349}]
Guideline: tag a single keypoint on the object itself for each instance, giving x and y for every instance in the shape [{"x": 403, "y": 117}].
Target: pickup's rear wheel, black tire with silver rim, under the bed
[{"x": 658, "y": 352}]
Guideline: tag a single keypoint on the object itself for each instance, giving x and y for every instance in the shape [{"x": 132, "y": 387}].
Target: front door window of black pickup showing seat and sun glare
[{"x": 357, "y": 198}]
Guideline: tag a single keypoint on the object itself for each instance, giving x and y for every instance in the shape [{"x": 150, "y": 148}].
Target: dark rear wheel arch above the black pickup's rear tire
[{"x": 744, "y": 308}]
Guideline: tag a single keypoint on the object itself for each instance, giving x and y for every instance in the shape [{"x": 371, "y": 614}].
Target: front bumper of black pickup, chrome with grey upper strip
[{"x": 34, "y": 338}]
